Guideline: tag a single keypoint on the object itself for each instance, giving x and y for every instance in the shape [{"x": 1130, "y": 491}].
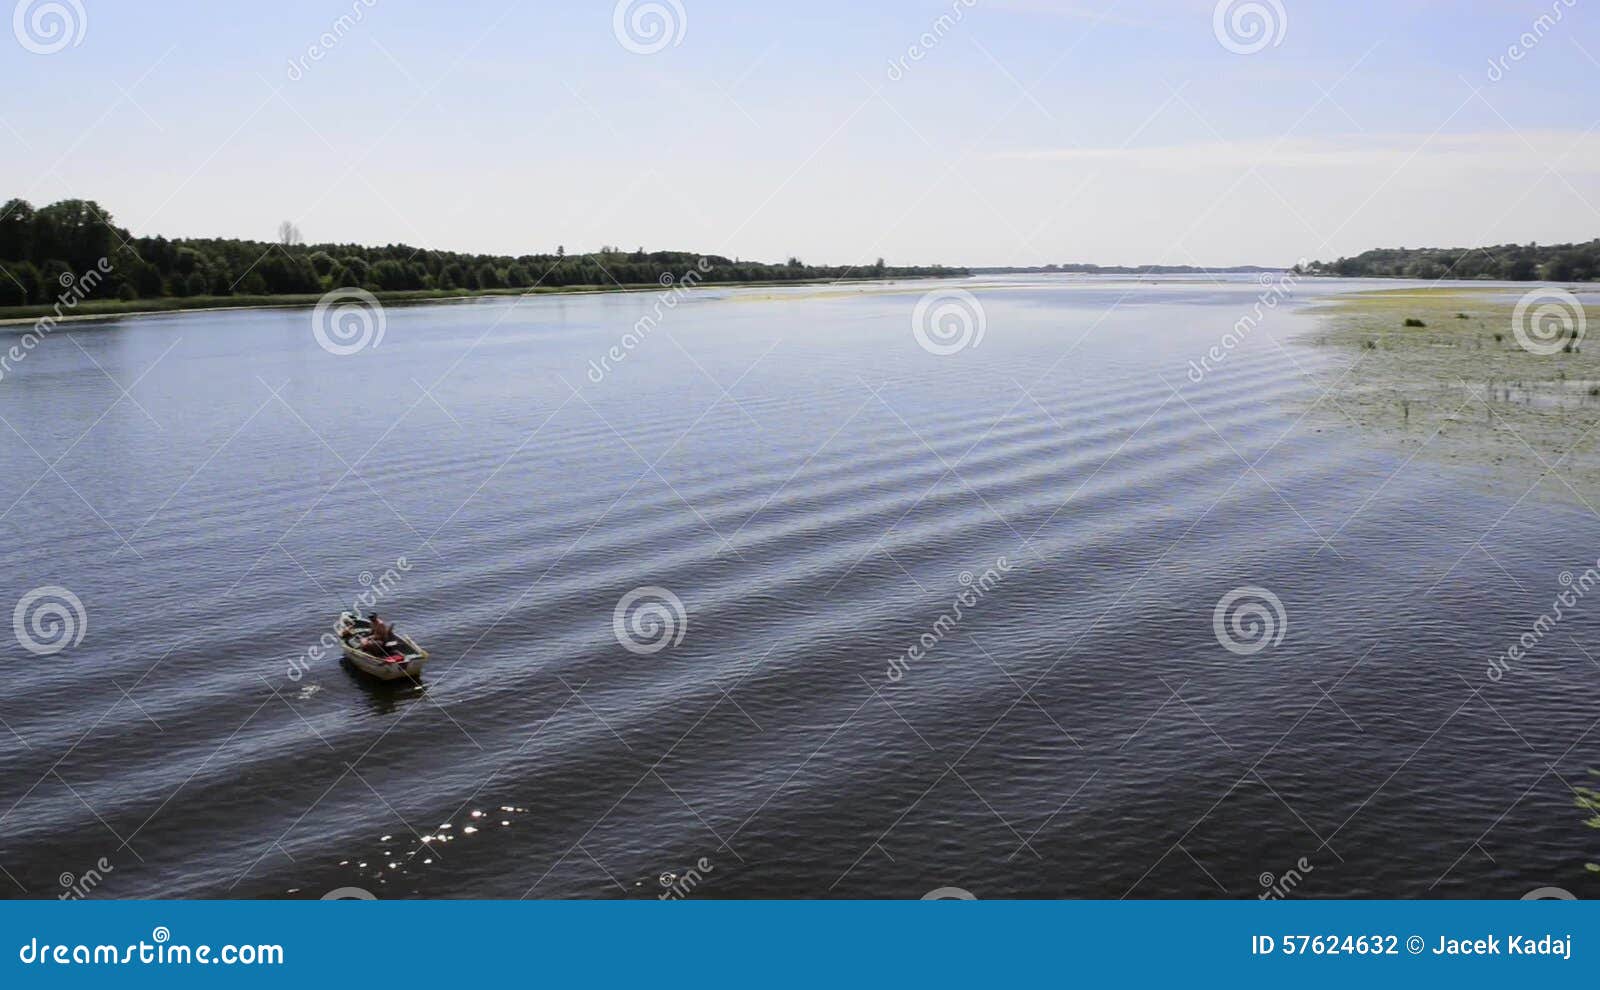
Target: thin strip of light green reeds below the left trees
[{"x": 116, "y": 309}]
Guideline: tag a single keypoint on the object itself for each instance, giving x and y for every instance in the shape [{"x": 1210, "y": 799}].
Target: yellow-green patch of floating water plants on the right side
[{"x": 1442, "y": 372}]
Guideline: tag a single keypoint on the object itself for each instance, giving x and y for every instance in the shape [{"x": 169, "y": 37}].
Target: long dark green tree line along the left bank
[{"x": 44, "y": 249}]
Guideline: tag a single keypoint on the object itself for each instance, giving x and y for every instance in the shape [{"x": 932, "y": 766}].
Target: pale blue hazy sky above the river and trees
[{"x": 945, "y": 132}]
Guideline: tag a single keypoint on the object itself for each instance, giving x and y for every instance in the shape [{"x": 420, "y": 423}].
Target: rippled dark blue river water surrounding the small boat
[{"x": 812, "y": 485}]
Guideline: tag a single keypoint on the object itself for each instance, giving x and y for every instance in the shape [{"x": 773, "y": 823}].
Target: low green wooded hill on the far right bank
[{"x": 1510, "y": 263}]
